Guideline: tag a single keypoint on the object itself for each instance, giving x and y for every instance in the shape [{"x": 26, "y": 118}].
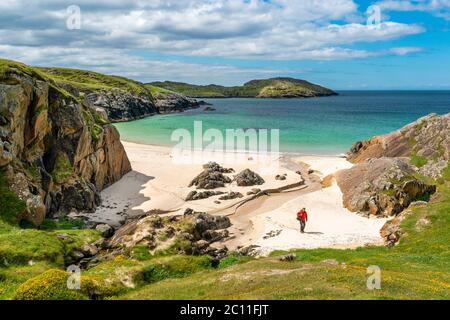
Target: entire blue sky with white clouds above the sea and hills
[{"x": 232, "y": 41}]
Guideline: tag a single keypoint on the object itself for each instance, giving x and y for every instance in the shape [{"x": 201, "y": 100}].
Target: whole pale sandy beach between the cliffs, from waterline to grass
[{"x": 159, "y": 183}]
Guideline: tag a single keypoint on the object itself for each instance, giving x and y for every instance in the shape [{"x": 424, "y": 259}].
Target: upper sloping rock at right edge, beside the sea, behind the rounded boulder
[{"x": 425, "y": 142}]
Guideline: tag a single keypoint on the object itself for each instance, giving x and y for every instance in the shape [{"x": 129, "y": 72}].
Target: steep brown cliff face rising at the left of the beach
[{"x": 56, "y": 152}]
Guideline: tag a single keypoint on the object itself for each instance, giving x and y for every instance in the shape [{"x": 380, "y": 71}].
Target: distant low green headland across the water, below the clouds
[{"x": 268, "y": 88}]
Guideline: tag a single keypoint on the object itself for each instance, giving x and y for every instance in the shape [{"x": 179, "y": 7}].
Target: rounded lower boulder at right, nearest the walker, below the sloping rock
[{"x": 382, "y": 187}]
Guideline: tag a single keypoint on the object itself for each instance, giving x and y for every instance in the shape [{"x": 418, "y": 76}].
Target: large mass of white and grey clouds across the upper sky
[{"x": 113, "y": 31}]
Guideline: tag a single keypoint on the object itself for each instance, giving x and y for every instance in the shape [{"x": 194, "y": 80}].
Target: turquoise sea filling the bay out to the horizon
[{"x": 327, "y": 125}]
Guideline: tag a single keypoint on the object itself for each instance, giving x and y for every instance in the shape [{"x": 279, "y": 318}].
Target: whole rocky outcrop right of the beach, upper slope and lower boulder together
[{"x": 389, "y": 169}]
